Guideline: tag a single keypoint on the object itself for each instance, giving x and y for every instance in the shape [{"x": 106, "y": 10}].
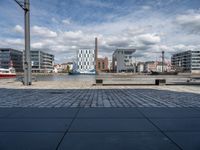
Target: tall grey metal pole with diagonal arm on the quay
[{"x": 27, "y": 62}]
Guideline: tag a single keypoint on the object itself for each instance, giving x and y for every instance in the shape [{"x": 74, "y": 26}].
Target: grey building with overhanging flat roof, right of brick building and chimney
[{"x": 123, "y": 60}]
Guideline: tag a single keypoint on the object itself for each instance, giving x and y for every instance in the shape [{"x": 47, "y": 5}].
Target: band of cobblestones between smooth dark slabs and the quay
[{"x": 101, "y": 97}]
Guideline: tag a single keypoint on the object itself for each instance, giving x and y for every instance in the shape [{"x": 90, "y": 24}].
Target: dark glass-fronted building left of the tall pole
[{"x": 11, "y": 58}]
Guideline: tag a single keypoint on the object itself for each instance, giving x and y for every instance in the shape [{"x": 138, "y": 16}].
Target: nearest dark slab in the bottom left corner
[{"x": 29, "y": 140}]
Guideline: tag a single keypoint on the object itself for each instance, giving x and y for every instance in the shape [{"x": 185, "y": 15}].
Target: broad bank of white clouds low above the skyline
[{"x": 149, "y": 35}]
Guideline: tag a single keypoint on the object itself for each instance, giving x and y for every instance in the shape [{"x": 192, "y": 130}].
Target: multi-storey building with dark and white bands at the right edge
[{"x": 188, "y": 61}]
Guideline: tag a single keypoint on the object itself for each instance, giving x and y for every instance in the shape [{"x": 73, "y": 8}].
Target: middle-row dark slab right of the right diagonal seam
[{"x": 189, "y": 124}]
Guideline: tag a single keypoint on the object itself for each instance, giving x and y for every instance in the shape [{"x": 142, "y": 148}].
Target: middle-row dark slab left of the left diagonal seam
[{"x": 39, "y": 125}]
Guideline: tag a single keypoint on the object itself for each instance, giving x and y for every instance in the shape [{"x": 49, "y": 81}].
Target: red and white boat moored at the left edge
[{"x": 7, "y": 73}]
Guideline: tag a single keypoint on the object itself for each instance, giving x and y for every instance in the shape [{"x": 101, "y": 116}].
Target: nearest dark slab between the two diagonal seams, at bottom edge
[{"x": 117, "y": 141}]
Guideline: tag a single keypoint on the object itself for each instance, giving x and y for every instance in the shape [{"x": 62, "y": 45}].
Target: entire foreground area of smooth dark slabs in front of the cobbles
[{"x": 138, "y": 128}]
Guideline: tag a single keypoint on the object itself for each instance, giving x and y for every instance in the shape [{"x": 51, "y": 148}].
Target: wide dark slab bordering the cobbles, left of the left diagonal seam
[{"x": 45, "y": 113}]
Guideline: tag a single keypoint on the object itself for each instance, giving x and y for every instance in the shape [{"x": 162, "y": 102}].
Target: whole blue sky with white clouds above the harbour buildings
[{"x": 61, "y": 27}]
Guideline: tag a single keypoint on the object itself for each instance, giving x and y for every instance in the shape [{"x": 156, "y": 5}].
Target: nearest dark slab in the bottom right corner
[{"x": 186, "y": 140}]
